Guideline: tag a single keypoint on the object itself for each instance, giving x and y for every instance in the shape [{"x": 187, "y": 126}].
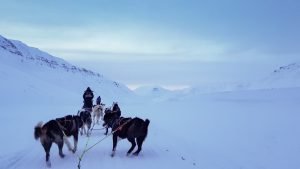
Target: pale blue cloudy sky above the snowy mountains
[{"x": 172, "y": 43}]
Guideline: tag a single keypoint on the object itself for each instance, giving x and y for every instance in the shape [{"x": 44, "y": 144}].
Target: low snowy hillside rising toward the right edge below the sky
[{"x": 284, "y": 77}]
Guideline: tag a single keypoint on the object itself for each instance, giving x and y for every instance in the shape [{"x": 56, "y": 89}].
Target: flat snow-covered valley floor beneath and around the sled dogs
[{"x": 253, "y": 129}]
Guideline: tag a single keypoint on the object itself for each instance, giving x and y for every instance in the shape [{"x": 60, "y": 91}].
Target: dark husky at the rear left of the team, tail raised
[{"x": 57, "y": 131}]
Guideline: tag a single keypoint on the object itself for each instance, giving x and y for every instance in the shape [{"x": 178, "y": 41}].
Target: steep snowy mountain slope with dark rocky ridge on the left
[{"x": 38, "y": 71}]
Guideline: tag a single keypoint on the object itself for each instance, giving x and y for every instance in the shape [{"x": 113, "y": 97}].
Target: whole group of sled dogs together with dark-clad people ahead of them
[{"x": 58, "y": 130}]
